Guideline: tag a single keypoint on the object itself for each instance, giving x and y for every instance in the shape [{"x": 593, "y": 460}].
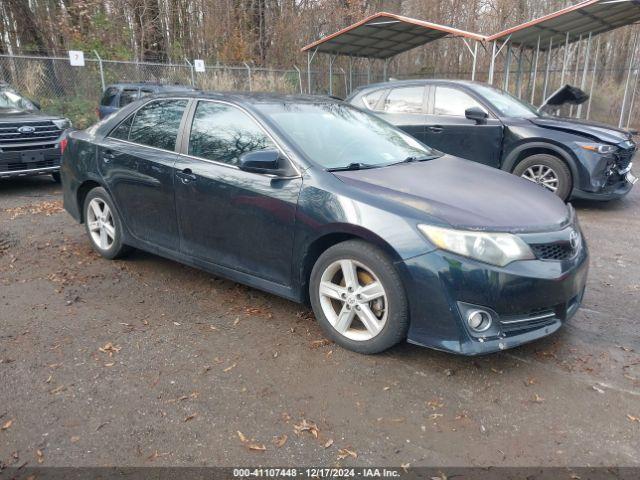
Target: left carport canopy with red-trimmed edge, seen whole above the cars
[{"x": 384, "y": 35}]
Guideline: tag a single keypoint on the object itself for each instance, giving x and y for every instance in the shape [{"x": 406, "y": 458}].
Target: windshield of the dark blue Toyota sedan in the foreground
[{"x": 335, "y": 135}]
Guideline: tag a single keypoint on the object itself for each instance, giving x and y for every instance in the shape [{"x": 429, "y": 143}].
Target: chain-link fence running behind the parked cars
[{"x": 75, "y": 91}]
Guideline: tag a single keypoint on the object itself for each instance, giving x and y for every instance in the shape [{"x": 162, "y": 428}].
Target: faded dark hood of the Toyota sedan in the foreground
[{"x": 464, "y": 194}]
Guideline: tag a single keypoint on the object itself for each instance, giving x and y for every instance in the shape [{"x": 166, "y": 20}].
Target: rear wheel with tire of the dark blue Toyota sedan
[{"x": 103, "y": 224}]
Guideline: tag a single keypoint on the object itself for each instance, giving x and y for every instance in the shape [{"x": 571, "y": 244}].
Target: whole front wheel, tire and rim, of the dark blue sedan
[{"x": 357, "y": 296}]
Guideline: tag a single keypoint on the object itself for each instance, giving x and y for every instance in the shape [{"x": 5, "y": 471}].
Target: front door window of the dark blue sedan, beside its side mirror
[{"x": 222, "y": 133}]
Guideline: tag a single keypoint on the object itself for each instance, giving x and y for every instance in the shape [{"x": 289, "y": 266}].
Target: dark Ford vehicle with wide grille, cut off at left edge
[{"x": 31, "y": 142}]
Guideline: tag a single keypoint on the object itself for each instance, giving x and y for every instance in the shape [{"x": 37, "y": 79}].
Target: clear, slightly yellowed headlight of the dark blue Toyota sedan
[{"x": 494, "y": 248}]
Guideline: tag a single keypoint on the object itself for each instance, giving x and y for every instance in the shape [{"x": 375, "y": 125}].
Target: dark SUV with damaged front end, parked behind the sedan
[{"x": 569, "y": 157}]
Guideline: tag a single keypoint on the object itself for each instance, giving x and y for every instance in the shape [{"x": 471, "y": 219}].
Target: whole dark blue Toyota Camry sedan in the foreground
[{"x": 317, "y": 201}]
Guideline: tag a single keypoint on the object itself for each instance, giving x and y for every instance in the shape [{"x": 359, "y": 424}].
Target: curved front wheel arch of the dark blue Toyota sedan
[{"x": 327, "y": 239}]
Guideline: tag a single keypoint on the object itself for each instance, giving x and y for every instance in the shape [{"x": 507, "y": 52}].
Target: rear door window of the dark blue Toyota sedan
[{"x": 157, "y": 124}]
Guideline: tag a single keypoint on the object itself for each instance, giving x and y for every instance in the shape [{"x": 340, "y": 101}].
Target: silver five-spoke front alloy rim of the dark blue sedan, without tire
[{"x": 353, "y": 300}]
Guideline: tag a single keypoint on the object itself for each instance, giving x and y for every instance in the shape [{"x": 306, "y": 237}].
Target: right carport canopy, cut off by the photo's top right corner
[{"x": 569, "y": 24}]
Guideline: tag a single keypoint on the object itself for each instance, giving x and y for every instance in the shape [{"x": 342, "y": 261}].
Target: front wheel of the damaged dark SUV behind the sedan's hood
[{"x": 548, "y": 171}]
